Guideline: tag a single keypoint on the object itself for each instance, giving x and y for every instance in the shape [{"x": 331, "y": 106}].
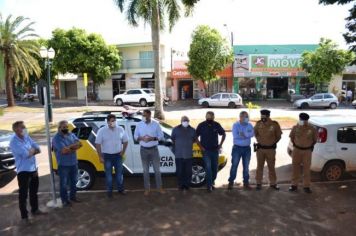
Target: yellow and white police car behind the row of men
[{"x": 86, "y": 128}]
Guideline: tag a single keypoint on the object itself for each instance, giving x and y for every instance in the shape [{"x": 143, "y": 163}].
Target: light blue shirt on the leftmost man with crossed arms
[{"x": 20, "y": 149}]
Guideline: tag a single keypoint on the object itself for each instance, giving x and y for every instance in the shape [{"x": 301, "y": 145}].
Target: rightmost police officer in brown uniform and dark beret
[{"x": 303, "y": 136}]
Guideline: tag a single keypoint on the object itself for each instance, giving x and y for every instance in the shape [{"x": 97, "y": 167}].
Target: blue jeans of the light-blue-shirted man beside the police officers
[{"x": 238, "y": 153}]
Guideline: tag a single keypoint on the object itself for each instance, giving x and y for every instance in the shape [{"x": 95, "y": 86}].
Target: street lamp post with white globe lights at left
[{"x": 48, "y": 55}]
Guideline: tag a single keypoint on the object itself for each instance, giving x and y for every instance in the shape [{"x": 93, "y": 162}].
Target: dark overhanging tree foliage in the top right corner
[{"x": 350, "y": 35}]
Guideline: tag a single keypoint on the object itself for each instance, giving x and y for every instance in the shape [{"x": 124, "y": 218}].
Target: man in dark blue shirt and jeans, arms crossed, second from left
[{"x": 65, "y": 145}]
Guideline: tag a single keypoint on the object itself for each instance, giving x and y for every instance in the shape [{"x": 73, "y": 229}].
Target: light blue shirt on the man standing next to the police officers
[{"x": 242, "y": 134}]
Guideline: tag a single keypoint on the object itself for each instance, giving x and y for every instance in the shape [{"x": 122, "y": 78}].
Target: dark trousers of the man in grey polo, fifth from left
[{"x": 184, "y": 172}]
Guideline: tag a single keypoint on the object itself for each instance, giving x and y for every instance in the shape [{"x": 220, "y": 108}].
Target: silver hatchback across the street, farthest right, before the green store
[{"x": 319, "y": 100}]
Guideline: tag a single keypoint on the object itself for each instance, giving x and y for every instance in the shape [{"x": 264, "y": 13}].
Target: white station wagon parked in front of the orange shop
[{"x": 231, "y": 100}]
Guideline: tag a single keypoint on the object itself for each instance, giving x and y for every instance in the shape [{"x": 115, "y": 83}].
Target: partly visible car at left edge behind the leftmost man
[{"x": 7, "y": 161}]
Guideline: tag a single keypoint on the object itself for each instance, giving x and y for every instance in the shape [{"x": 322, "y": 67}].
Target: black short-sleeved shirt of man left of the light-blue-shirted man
[{"x": 209, "y": 134}]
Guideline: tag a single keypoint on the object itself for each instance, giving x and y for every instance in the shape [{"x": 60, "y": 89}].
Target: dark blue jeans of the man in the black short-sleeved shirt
[{"x": 211, "y": 159}]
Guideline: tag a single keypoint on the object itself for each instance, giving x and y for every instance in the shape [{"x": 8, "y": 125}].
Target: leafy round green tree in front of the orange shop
[{"x": 209, "y": 53}]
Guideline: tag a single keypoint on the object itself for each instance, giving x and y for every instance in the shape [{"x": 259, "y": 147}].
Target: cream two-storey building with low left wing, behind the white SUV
[{"x": 137, "y": 71}]
